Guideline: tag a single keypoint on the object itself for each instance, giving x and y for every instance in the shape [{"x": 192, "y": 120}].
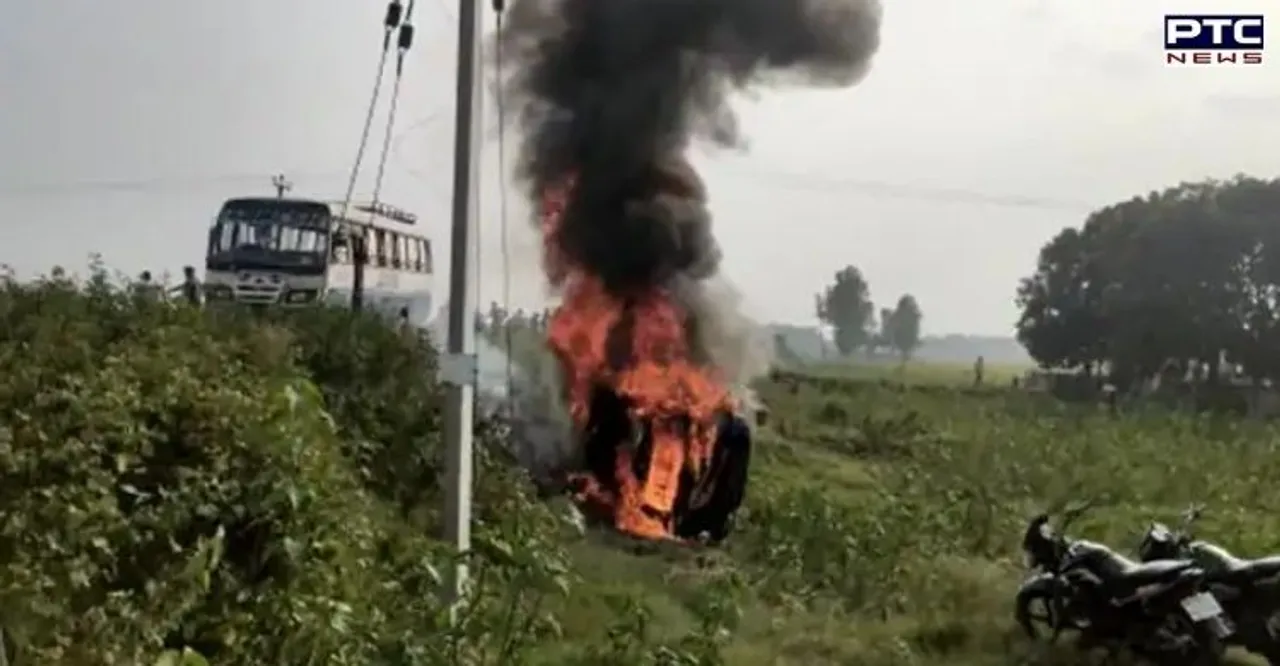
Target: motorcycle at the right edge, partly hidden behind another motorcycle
[{"x": 1250, "y": 590}]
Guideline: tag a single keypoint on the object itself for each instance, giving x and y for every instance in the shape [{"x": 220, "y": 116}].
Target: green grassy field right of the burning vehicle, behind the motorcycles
[{"x": 885, "y": 521}]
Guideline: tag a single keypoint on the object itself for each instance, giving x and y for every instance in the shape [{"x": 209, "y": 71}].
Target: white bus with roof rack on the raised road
[{"x": 299, "y": 253}]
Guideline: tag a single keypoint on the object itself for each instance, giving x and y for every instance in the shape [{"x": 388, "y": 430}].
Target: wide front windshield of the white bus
[{"x": 269, "y": 234}]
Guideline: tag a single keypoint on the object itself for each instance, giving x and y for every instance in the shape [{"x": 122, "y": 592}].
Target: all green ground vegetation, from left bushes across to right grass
[{"x": 263, "y": 490}]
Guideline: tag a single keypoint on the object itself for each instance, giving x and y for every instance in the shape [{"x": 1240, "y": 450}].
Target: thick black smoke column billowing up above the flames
[{"x": 615, "y": 92}]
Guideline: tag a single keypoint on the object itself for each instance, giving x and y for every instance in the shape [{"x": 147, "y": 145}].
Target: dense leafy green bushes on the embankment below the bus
[{"x": 239, "y": 486}]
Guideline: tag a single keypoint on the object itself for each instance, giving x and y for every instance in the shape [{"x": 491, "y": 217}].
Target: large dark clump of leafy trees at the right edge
[{"x": 1182, "y": 280}]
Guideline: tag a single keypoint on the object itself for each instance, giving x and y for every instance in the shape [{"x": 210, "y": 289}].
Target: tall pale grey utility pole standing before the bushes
[{"x": 459, "y": 367}]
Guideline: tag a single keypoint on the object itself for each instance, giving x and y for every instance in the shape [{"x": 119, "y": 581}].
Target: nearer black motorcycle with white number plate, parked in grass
[{"x": 1160, "y": 612}]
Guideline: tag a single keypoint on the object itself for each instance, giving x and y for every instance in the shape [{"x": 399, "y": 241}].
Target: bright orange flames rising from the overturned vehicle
[{"x": 676, "y": 398}]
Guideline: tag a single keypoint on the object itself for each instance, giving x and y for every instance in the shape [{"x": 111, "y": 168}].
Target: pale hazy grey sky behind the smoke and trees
[{"x": 981, "y": 131}]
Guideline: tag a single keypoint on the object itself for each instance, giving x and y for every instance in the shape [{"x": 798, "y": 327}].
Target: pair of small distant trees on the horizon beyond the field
[{"x": 848, "y": 309}]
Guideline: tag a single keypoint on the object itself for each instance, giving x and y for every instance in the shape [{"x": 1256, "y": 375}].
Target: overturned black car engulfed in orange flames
[{"x": 665, "y": 450}]
